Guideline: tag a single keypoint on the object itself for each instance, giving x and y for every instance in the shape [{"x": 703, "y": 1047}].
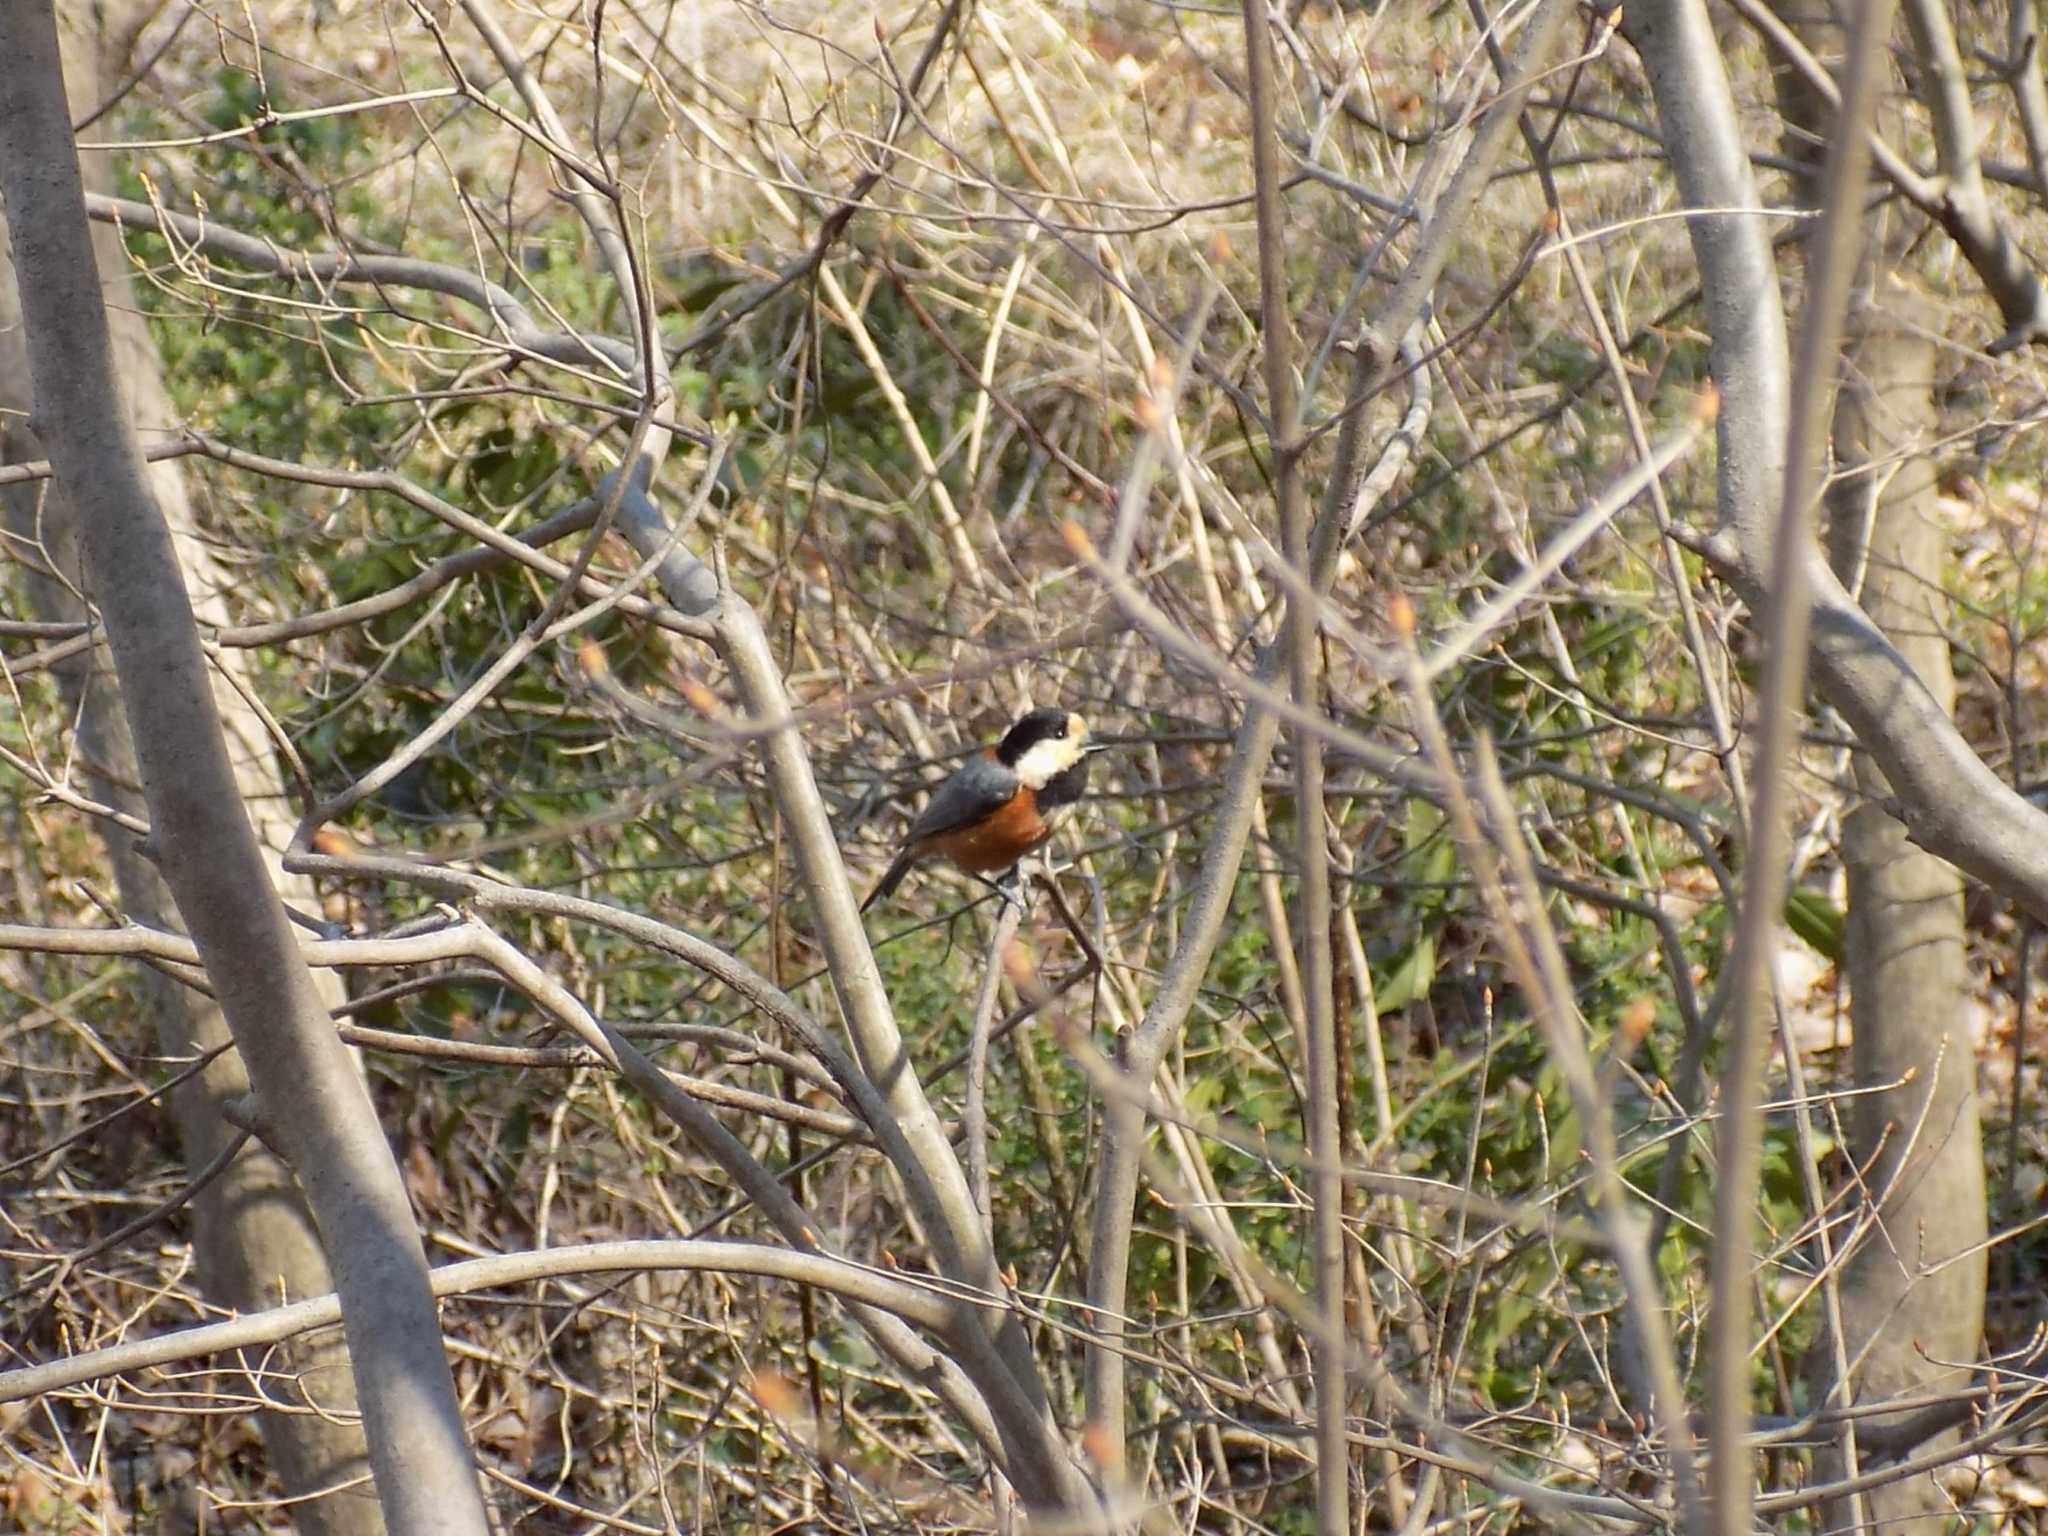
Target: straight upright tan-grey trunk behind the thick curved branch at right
[{"x": 1910, "y": 1299}]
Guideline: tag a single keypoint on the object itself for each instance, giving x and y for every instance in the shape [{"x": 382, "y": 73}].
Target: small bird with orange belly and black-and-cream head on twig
[{"x": 1002, "y": 802}]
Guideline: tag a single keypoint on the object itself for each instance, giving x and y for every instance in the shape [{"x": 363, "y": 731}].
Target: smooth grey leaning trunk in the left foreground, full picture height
[{"x": 308, "y": 1086}]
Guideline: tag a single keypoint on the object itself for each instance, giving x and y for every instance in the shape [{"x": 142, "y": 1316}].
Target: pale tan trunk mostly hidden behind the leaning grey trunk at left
[{"x": 253, "y": 1234}]
